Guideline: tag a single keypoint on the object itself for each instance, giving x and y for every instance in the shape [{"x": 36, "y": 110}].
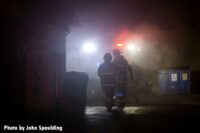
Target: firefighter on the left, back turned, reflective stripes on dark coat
[{"x": 107, "y": 72}]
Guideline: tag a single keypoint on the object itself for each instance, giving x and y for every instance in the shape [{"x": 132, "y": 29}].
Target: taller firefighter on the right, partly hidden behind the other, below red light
[{"x": 124, "y": 69}]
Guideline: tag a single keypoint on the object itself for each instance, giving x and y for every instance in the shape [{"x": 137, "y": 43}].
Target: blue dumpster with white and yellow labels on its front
[{"x": 174, "y": 81}]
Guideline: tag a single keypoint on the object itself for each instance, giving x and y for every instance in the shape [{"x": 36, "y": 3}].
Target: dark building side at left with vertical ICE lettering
[{"x": 32, "y": 32}]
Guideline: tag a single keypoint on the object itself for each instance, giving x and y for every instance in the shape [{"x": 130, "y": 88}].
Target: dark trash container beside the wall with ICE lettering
[{"x": 73, "y": 92}]
